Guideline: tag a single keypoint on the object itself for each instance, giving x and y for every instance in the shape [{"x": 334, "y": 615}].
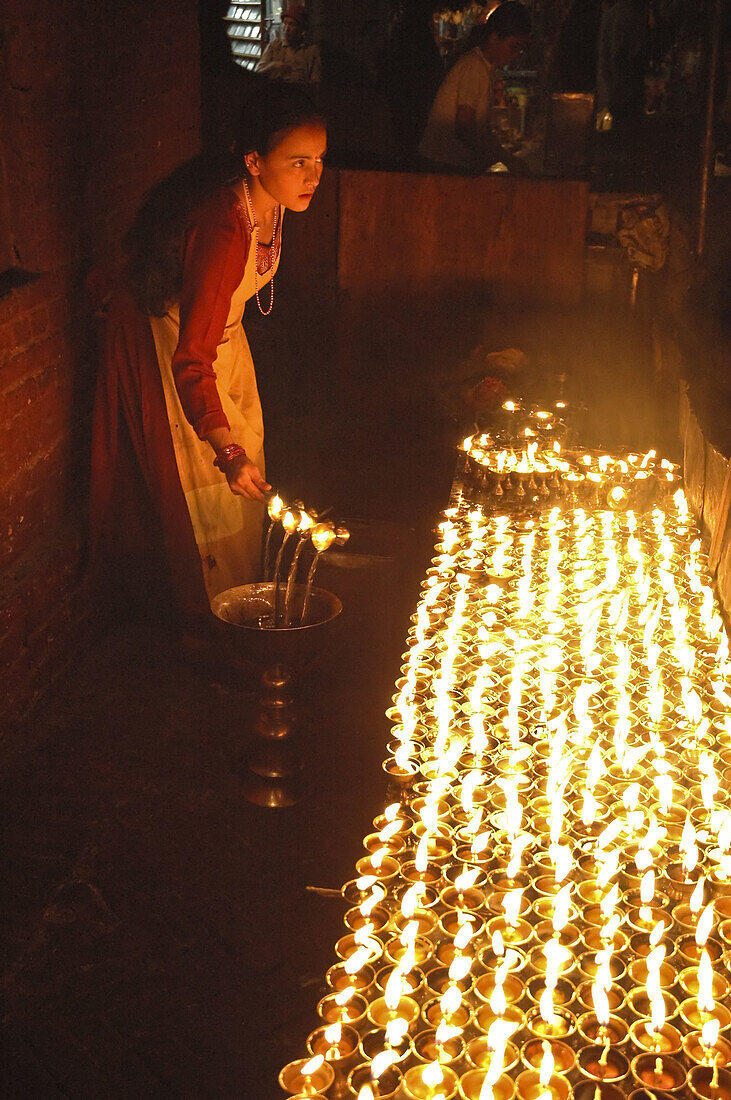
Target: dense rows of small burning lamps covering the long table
[{"x": 562, "y": 834}]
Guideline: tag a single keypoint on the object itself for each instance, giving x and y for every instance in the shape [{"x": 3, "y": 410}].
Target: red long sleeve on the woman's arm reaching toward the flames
[{"x": 215, "y": 254}]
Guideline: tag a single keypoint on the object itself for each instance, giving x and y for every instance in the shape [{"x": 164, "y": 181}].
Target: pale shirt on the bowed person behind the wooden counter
[{"x": 470, "y": 83}]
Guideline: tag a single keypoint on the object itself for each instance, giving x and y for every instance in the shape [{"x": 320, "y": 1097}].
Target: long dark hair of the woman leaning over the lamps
[{"x": 154, "y": 243}]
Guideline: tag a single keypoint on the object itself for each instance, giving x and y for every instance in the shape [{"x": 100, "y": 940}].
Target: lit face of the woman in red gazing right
[{"x": 291, "y": 172}]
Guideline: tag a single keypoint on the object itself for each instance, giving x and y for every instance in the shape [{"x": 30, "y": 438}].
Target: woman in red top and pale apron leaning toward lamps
[{"x": 178, "y": 449}]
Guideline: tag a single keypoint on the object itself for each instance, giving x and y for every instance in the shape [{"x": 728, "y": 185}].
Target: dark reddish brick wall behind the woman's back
[{"x": 98, "y": 102}]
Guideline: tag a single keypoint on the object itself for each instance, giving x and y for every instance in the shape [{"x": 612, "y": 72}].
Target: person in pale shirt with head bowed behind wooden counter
[{"x": 459, "y": 134}]
